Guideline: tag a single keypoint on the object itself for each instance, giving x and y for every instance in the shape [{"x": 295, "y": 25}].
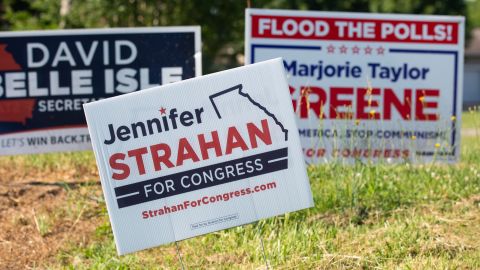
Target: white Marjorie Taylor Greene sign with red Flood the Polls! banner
[{"x": 367, "y": 86}]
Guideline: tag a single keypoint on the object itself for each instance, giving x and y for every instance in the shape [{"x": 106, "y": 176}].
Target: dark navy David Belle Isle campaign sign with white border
[{"x": 46, "y": 76}]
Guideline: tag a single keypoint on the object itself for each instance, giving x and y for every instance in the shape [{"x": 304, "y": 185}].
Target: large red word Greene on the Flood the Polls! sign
[{"x": 342, "y": 99}]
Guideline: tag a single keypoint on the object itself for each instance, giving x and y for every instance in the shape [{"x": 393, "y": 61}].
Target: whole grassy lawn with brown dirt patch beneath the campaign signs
[{"x": 365, "y": 216}]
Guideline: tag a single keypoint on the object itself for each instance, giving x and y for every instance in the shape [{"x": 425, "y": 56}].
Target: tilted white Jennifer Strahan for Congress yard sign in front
[{"x": 198, "y": 156}]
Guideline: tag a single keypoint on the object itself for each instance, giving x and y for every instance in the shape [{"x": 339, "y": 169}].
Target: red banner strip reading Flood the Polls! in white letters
[{"x": 322, "y": 28}]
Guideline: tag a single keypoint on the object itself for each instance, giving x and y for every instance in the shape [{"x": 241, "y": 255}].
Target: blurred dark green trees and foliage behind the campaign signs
[{"x": 222, "y": 21}]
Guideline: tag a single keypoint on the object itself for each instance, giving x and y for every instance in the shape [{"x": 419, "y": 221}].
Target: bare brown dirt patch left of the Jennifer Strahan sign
[{"x": 38, "y": 216}]
